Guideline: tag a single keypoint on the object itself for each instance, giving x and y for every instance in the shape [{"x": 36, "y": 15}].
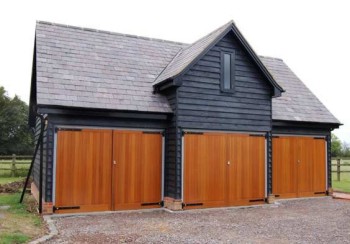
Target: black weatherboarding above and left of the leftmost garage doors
[{"x": 56, "y": 120}]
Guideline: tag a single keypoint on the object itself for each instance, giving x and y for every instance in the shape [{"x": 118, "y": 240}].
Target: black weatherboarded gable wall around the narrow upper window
[{"x": 202, "y": 104}]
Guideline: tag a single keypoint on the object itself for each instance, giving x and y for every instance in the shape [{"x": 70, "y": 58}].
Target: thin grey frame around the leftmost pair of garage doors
[{"x": 54, "y": 163}]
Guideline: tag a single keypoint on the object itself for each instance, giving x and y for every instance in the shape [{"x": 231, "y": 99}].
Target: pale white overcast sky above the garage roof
[{"x": 312, "y": 37}]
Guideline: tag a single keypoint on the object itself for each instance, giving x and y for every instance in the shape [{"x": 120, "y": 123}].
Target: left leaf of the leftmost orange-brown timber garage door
[{"x": 83, "y": 170}]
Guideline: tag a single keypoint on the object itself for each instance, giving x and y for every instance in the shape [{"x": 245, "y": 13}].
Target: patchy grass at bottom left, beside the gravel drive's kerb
[{"x": 20, "y": 223}]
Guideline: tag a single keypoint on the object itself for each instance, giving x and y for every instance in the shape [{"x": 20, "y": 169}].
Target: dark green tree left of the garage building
[{"x": 15, "y": 135}]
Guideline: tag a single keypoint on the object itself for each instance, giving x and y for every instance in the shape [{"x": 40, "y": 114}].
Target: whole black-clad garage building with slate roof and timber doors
[{"x": 130, "y": 122}]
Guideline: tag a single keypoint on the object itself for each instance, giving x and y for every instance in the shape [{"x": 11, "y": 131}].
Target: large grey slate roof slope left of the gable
[{"x": 88, "y": 68}]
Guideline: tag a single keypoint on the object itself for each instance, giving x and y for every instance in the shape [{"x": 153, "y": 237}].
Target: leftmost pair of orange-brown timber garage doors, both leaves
[{"x": 99, "y": 170}]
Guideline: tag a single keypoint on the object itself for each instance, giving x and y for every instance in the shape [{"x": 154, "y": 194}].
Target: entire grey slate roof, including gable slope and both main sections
[{"x": 80, "y": 67}]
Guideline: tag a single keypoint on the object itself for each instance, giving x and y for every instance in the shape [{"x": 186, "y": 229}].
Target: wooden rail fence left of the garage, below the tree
[{"x": 14, "y": 161}]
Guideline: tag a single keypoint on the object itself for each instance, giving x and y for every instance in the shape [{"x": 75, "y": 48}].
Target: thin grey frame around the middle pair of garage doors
[{"x": 223, "y": 132}]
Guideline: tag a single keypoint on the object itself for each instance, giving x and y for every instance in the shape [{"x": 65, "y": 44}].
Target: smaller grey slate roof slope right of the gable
[{"x": 297, "y": 103}]
